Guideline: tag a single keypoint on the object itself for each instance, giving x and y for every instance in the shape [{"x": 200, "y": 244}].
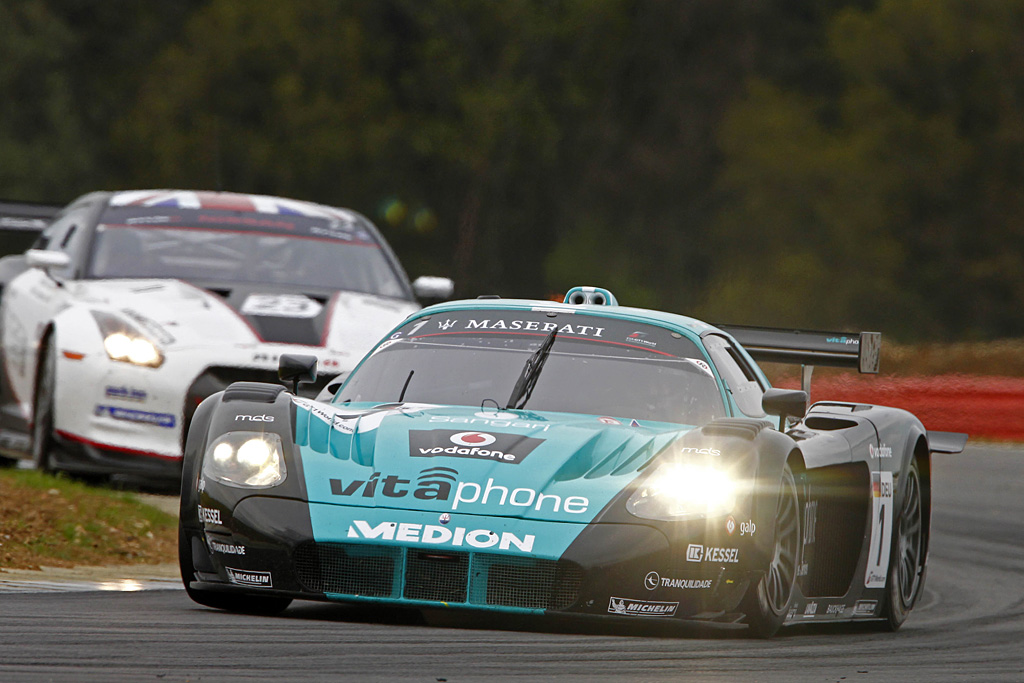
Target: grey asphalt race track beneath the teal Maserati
[{"x": 969, "y": 627}]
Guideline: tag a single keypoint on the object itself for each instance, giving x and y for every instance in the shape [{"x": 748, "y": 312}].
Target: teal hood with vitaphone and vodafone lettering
[{"x": 456, "y": 460}]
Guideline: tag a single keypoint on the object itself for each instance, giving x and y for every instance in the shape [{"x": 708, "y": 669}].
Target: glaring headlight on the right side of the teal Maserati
[{"x": 677, "y": 491}]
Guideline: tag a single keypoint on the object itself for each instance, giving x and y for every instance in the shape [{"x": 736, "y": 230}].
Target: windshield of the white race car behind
[{"x": 212, "y": 246}]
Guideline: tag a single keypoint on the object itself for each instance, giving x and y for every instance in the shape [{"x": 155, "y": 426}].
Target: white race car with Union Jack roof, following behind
[{"x": 135, "y": 307}]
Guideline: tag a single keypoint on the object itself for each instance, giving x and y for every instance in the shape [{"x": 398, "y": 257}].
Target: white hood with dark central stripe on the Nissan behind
[{"x": 182, "y": 316}]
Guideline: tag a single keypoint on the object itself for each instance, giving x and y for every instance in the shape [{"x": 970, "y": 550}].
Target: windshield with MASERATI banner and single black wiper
[{"x": 595, "y": 366}]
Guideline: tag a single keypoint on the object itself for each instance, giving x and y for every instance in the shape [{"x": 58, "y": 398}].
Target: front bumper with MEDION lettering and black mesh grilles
[{"x": 266, "y": 545}]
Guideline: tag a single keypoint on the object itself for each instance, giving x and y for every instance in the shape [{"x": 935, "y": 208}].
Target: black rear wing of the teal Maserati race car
[{"x": 809, "y": 349}]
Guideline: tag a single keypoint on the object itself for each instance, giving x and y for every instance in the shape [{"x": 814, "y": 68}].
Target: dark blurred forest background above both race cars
[{"x": 823, "y": 164}]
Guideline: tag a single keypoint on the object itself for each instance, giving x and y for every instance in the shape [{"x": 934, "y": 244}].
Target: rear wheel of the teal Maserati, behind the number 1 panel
[{"x": 907, "y": 562}]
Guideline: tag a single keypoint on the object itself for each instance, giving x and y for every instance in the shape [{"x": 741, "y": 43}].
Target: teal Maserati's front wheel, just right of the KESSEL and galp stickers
[{"x": 767, "y": 603}]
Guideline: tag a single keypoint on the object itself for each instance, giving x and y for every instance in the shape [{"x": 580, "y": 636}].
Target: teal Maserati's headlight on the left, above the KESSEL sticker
[{"x": 246, "y": 459}]
